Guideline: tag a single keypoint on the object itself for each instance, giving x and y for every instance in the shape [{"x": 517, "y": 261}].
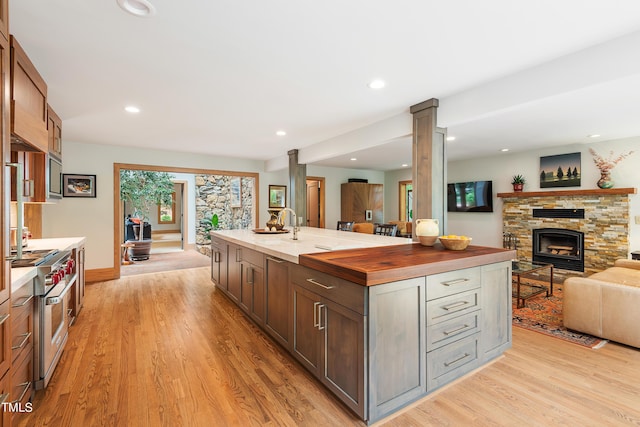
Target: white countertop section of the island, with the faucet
[{"x": 310, "y": 240}]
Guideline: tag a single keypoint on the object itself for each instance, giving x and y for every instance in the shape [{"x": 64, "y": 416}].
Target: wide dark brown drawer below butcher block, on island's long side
[{"x": 343, "y": 292}]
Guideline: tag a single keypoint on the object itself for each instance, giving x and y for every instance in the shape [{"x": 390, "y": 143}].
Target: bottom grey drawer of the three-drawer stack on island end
[{"x": 451, "y": 361}]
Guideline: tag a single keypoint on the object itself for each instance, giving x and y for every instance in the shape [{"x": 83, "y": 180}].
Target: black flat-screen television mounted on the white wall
[{"x": 473, "y": 196}]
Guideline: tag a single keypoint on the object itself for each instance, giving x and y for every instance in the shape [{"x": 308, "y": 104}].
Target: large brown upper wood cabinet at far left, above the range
[{"x": 28, "y": 101}]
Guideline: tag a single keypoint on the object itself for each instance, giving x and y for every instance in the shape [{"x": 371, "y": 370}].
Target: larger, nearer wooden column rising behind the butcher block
[{"x": 429, "y": 164}]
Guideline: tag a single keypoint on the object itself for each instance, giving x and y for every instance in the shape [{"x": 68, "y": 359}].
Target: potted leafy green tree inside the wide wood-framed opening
[{"x": 142, "y": 190}]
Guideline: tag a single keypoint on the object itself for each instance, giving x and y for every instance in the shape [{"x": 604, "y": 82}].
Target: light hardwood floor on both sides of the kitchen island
[{"x": 166, "y": 349}]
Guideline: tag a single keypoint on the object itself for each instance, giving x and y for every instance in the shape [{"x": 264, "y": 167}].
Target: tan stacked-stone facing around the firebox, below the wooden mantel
[{"x": 605, "y": 226}]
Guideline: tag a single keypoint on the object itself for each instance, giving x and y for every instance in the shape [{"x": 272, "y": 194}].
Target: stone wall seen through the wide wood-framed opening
[{"x": 213, "y": 196}]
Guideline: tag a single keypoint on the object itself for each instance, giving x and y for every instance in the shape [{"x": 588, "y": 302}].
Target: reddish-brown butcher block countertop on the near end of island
[{"x": 374, "y": 266}]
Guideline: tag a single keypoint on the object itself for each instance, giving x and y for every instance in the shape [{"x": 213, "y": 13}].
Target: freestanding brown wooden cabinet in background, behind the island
[{"x": 362, "y": 202}]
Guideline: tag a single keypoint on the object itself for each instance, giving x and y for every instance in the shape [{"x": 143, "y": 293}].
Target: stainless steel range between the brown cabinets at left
[{"x": 55, "y": 277}]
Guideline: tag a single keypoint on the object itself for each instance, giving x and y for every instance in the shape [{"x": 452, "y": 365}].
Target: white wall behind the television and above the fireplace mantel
[{"x": 486, "y": 228}]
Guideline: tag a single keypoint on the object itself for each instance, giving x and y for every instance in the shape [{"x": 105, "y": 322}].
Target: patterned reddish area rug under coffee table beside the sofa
[{"x": 544, "y": 315}]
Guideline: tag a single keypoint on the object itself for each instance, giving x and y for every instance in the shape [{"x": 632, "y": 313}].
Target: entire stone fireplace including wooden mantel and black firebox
[{"x": 599, "y": 219}]
